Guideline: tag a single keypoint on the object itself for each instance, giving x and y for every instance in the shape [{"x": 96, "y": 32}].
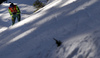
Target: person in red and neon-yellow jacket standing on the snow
[{"x": 14, "y": 12}]
